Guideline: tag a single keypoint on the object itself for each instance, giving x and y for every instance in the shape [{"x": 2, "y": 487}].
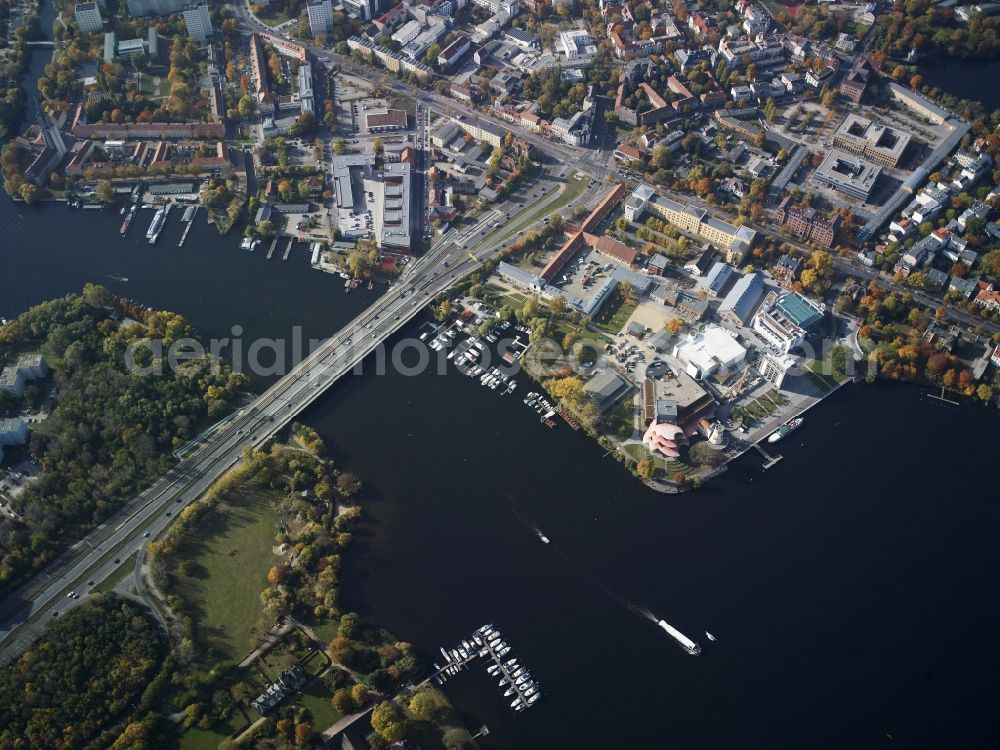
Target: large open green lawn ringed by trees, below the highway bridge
[{"x": 232, "y": 552}]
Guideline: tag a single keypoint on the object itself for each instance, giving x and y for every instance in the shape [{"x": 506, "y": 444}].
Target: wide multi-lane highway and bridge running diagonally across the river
[{"x": 25, "y": 612}]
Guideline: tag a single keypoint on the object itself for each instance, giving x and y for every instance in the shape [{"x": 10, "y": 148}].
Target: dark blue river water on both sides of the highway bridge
[{"x": 852, "y": 588}]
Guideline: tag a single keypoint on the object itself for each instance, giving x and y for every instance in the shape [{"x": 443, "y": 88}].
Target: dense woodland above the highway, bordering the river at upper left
[{"x": 111, "y": 430}]
